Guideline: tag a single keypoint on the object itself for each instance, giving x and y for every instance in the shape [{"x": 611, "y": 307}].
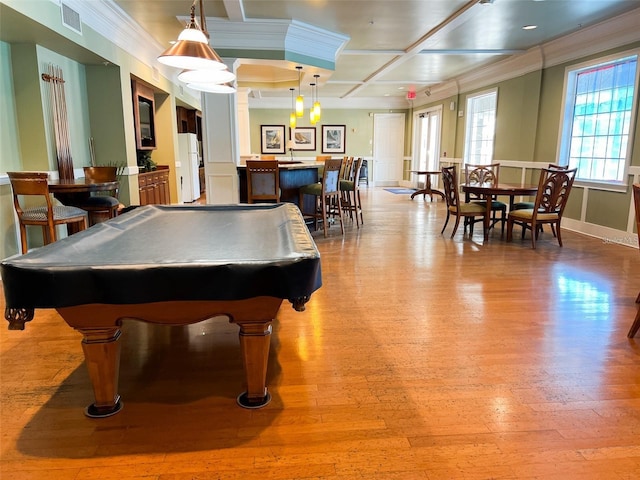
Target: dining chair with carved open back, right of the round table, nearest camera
[{"x": 554, "y": 187}]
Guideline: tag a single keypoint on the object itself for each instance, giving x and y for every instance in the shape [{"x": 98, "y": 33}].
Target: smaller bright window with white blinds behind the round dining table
[{"x": 480, "y": 128}]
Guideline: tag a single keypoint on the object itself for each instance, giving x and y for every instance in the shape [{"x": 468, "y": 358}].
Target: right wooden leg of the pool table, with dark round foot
[{"x": 255, "y": 339}]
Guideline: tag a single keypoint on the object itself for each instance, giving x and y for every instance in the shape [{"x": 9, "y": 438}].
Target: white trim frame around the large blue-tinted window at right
[{"x": 565, "y": 115}]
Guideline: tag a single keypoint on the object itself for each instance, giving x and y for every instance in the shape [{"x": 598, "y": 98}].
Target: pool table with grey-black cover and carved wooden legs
[{"x": 172, "y": 265}]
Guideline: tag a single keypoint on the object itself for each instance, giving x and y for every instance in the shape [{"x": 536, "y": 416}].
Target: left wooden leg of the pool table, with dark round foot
[{"x": 102, "y": 355}]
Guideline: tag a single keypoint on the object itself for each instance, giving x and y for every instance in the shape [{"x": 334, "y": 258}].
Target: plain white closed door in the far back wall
[{"x": 388, "y": 148}]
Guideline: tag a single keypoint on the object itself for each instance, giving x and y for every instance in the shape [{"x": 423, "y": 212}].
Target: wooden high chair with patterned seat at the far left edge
[{"x": 47, "y": 216}]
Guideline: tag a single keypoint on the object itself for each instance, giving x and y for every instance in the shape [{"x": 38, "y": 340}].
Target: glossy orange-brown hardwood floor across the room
[{"x": 421, "y": 357}]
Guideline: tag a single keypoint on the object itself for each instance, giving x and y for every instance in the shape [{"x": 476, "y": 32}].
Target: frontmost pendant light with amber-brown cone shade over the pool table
[{"x": 192, "y": 50}]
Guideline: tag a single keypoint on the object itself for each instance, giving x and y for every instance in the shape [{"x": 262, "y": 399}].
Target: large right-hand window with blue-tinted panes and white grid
[{"x": 596, "y": 131}]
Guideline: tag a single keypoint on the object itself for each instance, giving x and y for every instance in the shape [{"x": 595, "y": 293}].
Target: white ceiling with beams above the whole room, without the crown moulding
[{"x": 391, "y": 46}]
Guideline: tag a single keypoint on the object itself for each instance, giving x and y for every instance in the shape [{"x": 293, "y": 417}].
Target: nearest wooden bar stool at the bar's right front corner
[{"x": 327, "y": 196}]
